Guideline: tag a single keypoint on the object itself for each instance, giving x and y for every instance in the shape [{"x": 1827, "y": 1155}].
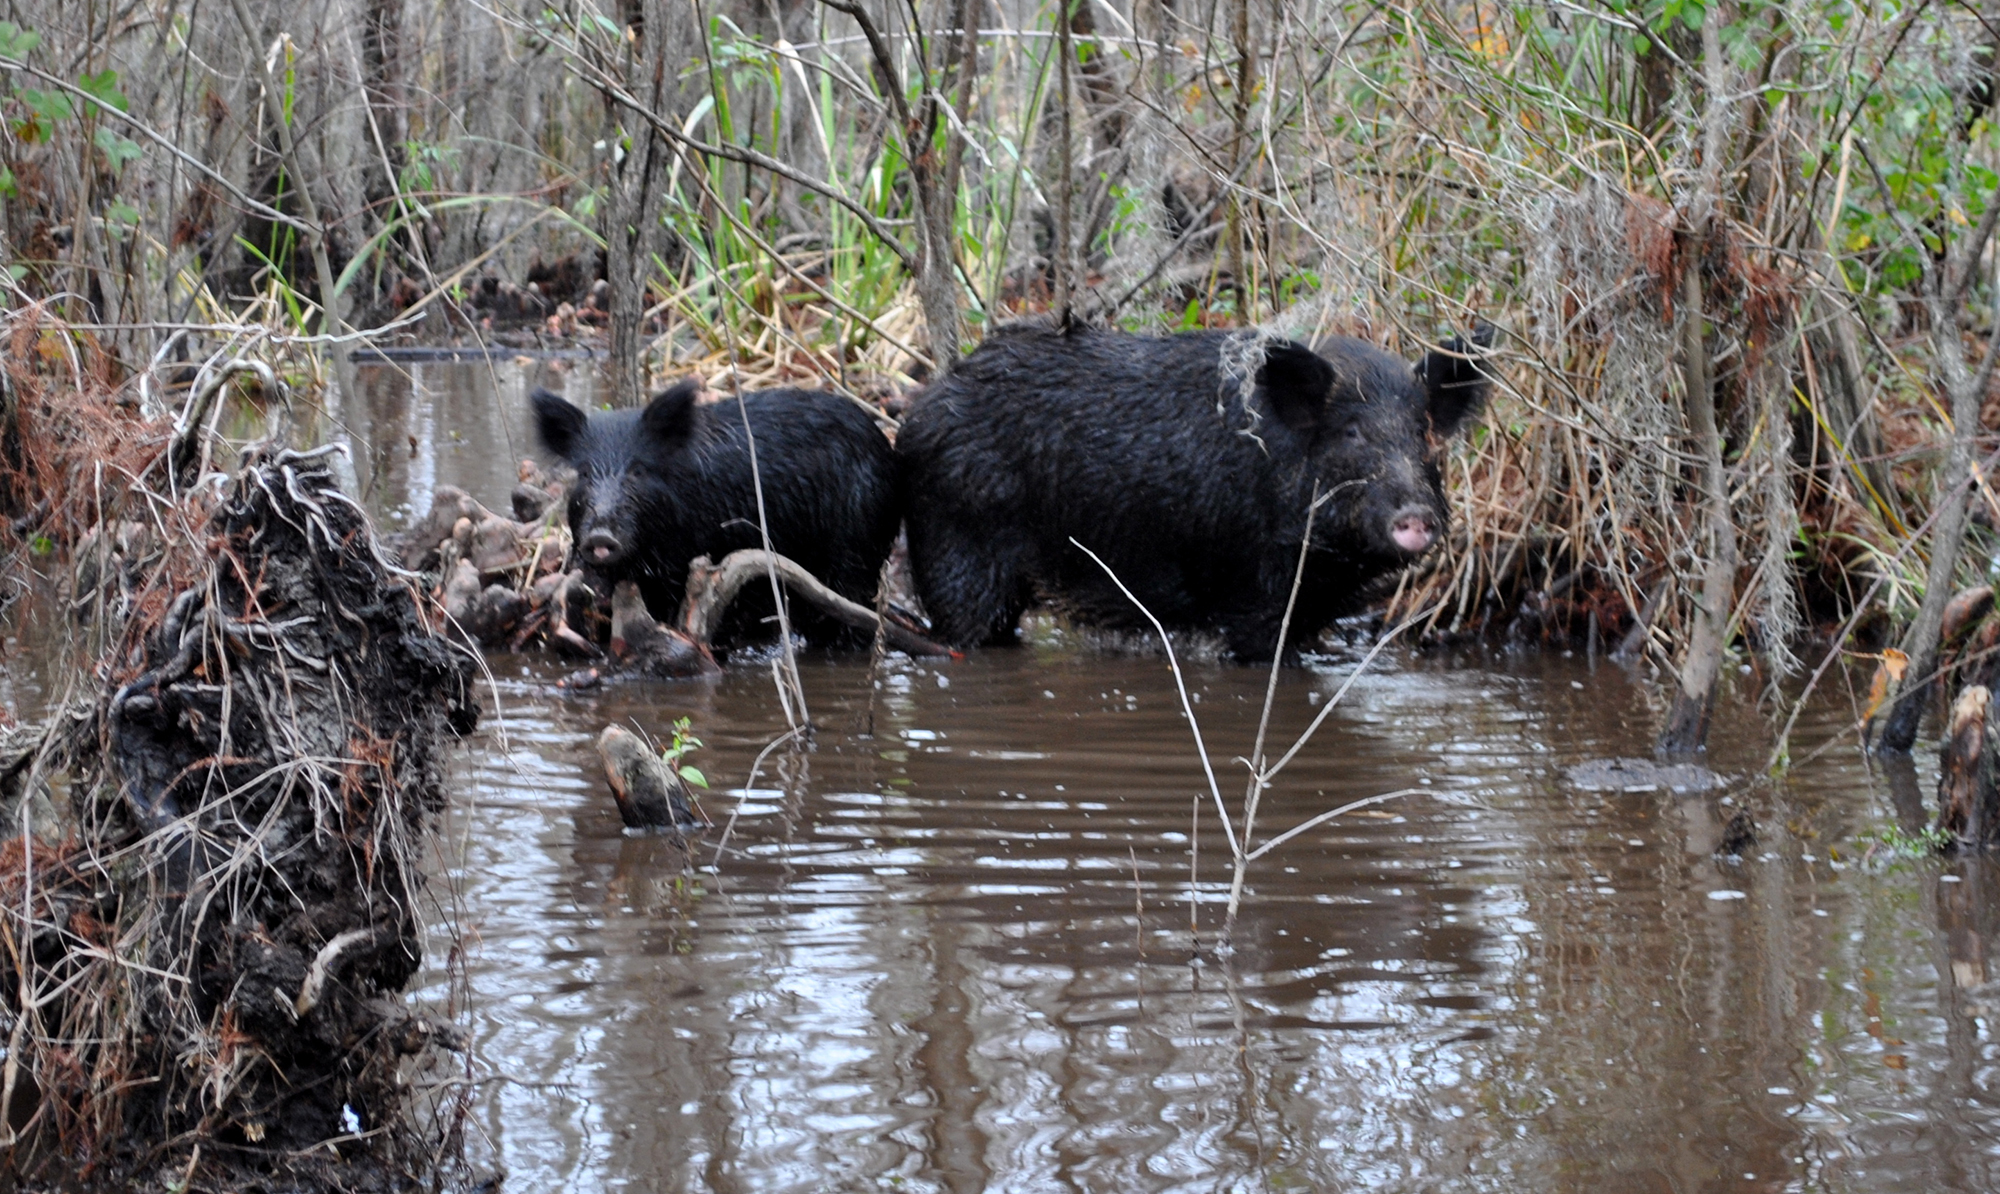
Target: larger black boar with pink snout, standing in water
[{"x": 1149, "y": 453}]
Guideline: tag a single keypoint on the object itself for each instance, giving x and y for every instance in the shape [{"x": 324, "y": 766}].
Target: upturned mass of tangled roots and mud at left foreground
[{"x": 209, "y": 969}]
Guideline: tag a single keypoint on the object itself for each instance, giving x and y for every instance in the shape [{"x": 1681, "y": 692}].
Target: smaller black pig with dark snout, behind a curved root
[{"x": 659, "y": 487}]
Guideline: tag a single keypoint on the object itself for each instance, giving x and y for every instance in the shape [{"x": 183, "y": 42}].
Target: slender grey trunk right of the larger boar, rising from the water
[{"x": 1687, "y": 723}]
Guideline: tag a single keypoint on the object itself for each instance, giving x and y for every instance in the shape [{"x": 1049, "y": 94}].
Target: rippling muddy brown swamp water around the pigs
[{"x": 955, "y": 953}]
